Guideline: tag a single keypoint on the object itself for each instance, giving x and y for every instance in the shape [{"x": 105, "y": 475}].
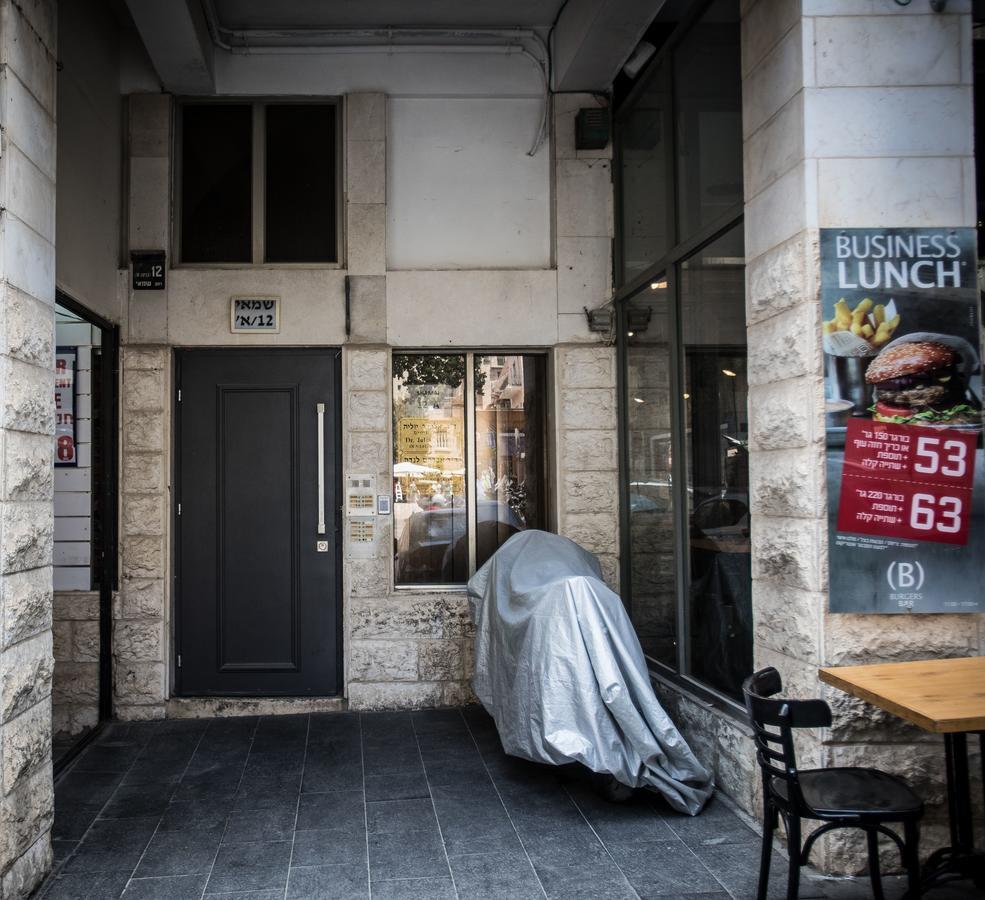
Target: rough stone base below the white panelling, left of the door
[{"x": 75, "y": 639}]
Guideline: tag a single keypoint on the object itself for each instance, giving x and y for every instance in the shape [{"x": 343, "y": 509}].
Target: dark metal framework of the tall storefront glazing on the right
[{"x": 666, "y": 268}]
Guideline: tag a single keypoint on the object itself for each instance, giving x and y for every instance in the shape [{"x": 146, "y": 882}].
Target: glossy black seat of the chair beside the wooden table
[{"x": 854, "y": 792}]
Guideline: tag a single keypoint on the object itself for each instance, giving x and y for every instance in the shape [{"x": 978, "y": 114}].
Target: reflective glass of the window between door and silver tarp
[{"x": 441, "y": 472}]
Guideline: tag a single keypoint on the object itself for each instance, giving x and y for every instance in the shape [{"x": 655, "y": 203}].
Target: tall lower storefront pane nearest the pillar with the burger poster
[{"x": 716, "y": 436}]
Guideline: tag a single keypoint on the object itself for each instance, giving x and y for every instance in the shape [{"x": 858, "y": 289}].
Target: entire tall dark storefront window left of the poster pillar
[{"x": 685, "y": 494}]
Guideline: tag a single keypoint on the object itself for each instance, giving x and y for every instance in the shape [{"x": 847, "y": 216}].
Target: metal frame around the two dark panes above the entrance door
[{"x": 258, "y": 182}]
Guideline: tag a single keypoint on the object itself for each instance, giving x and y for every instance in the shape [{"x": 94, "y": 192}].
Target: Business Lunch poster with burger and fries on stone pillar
[{"x": 903, "y": 404}]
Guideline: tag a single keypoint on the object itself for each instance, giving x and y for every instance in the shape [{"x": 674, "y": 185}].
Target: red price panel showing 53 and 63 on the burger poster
[{"x": 907, "y": 481}]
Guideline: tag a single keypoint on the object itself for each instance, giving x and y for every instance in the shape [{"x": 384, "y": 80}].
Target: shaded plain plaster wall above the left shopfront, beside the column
[{"x": 89, "y": 156}]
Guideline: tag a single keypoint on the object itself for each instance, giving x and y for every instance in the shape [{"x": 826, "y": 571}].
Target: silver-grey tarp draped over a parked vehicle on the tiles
[{"x": 559, "y": 668}]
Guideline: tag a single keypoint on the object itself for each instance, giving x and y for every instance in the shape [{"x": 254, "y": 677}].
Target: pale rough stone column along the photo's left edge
[{"x": 27, "y": 421}]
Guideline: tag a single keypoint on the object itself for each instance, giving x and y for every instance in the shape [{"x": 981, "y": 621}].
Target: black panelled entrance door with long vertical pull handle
[{"x": 257, "y": 456}]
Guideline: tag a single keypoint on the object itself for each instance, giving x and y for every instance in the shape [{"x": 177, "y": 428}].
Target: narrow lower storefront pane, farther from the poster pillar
[{"x": 653, "y": 588}]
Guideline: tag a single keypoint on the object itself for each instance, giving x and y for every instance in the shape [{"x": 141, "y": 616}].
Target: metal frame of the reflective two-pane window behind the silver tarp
[{"x": 469, "y": 450}]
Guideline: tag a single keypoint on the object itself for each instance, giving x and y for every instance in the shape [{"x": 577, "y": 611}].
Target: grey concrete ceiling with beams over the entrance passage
[{"x": 590, "y": 39}]
